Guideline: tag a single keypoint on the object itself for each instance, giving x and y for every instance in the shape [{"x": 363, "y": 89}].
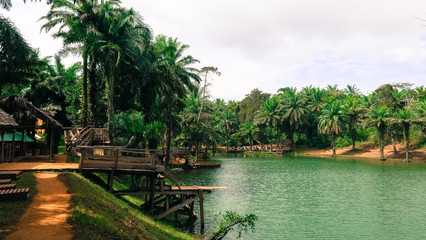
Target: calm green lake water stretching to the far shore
[{"x": 316, "y": 198}]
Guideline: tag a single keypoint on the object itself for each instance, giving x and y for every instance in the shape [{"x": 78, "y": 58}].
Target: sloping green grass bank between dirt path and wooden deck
[{"x": 96, "y": 214}]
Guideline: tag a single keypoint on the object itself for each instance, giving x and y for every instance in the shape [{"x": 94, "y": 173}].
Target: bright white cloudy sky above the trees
[{"x": 278, "y": 43}]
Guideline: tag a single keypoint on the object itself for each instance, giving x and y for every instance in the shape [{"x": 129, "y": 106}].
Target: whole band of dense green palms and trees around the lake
[{"x": 146, "y": 90}]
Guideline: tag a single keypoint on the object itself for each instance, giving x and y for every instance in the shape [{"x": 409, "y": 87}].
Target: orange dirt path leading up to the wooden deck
[{"x": 46, "y": 216}]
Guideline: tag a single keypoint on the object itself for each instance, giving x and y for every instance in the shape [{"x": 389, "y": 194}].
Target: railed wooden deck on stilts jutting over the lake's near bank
[{"x": 161, "y": 199}]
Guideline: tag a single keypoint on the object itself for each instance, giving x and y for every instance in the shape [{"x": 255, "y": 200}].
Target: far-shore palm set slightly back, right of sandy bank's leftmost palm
[{"x": 354, "y": 110}]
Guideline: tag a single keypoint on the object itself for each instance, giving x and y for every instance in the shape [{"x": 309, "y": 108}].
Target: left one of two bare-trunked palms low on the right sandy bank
[{"x": 379, "y": 117}]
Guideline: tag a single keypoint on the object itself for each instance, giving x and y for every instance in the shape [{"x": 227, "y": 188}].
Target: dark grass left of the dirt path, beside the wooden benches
[{"x": 12, "y": 210}]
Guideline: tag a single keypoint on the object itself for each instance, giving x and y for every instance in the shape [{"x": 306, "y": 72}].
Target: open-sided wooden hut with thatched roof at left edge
[{"x": 13, "y": 104}]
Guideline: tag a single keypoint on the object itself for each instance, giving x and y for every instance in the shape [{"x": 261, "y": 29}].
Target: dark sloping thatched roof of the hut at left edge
[{"x": 15, "y": 103}]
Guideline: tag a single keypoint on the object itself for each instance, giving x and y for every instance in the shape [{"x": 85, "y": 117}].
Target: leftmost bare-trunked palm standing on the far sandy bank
[{"x": 332, "y": 121}]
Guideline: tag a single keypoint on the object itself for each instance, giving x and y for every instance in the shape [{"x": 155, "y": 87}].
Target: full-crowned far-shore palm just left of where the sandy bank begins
[{"x": 294, "y": 109}]
